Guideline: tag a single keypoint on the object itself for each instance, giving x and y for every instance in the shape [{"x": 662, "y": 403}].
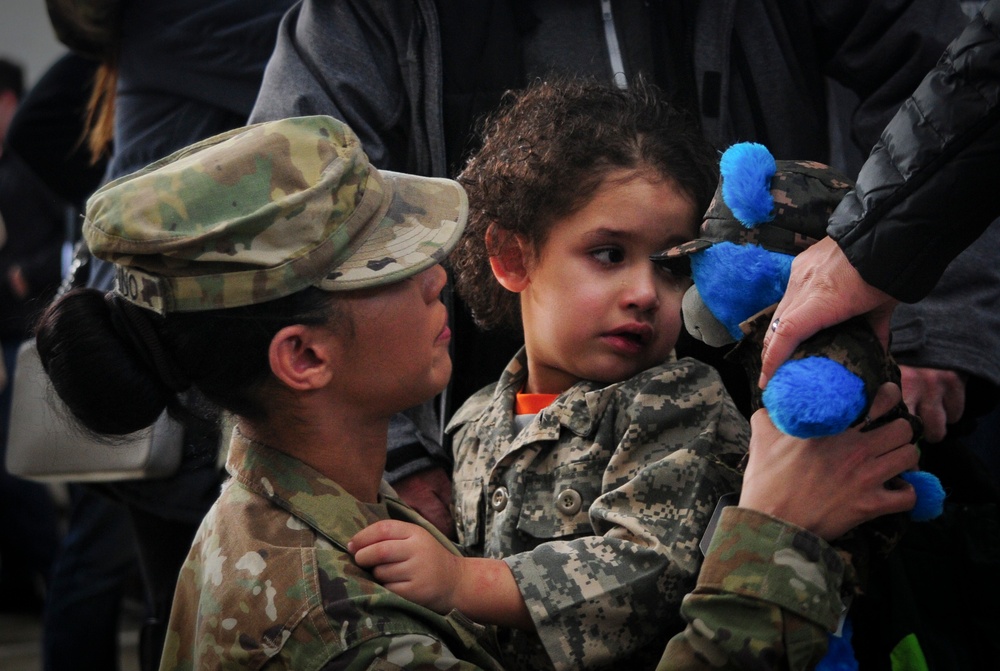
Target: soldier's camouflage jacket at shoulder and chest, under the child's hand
[{"x": 269, "y": 584}]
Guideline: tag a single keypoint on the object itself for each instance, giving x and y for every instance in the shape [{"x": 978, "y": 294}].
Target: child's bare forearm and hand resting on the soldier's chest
[{"x": 408, "y": 561}]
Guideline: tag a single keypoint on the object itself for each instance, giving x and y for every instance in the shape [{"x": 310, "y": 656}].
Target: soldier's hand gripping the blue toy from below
[{"x": 830, "y": 485}]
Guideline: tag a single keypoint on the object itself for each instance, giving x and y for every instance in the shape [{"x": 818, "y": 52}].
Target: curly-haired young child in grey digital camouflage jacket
[{"x": 594, "y": 464}]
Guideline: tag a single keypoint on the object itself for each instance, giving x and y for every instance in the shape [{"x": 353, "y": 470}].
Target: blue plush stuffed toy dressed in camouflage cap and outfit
[{"x": 764, "y": 212}]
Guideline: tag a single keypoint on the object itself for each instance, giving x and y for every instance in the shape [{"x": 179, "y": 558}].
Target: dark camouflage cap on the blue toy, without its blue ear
[{"x": 805, "y": 194}]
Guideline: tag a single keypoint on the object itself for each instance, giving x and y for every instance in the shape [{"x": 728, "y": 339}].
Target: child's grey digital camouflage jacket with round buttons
[{"x": 597, "y": 506}]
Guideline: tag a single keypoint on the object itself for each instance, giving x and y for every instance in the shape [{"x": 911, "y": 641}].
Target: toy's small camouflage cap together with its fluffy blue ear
[{"x": 782, "y": 206}]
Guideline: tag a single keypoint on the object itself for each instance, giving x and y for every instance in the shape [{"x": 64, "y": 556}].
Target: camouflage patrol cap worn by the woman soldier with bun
[{"x": 264, "y": 211}]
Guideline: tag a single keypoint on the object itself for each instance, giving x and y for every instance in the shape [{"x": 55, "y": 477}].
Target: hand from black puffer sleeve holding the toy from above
[{"x": 824, "y": 289}]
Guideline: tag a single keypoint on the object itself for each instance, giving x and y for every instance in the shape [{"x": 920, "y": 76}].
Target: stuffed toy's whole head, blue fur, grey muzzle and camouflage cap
[{"x": 764, "y": 213}]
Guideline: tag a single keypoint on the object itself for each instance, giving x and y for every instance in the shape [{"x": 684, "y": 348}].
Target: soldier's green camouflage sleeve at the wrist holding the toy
[{"x": 767, "y": 595}]
